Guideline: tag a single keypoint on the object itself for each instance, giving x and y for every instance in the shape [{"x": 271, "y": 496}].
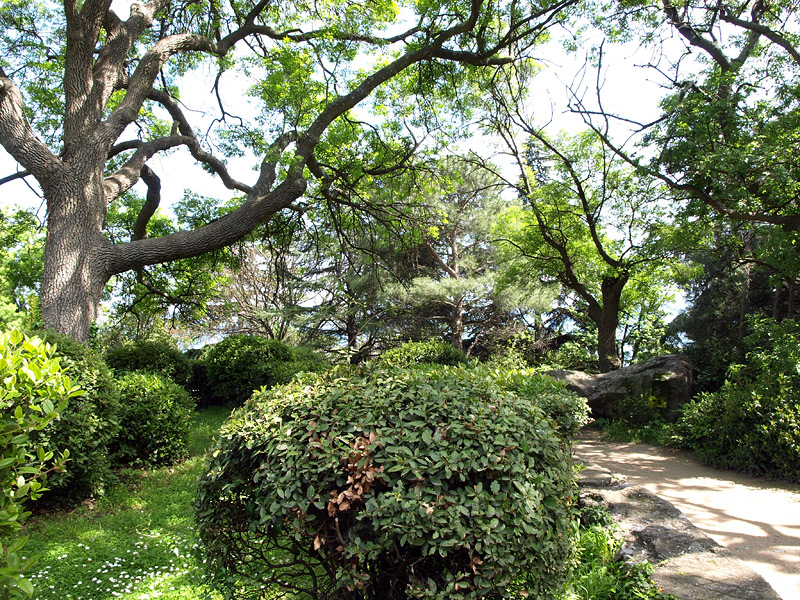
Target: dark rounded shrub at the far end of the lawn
[{"x": 240, "y": 364}]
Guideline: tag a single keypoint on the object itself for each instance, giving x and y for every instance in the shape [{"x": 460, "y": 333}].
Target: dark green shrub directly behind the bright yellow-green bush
[{"x": 87, "y": 426}]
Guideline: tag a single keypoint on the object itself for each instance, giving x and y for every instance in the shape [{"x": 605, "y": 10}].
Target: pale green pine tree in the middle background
[{"x": 456, "y": 290}]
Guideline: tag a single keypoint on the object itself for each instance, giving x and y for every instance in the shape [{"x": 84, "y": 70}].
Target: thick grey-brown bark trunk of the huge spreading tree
[{"x": 76, "y": 258}]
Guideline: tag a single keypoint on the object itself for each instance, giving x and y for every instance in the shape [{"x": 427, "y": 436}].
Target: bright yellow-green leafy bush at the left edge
[{"x": 34, "y": 391}]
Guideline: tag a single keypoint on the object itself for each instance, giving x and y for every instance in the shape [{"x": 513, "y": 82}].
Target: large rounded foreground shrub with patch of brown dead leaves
[{"x": 388, "y": 484}]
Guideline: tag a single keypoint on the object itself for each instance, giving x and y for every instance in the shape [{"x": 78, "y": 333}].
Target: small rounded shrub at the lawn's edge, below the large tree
[{"x": 155, "y": 420}]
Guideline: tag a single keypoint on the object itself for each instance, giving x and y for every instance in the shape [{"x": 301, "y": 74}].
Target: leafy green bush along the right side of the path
[{"x": 752, "y": 423}]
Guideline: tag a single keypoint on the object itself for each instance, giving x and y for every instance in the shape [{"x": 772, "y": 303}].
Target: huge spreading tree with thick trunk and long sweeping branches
[{"x": 82, "y": 86}]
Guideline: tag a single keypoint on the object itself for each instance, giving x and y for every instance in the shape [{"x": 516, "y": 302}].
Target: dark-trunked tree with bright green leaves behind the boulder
[{"x": 591, "y": 225}]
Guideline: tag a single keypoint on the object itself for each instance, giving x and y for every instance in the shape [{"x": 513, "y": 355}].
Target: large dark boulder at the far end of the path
[{"x": 664, "y": 383}]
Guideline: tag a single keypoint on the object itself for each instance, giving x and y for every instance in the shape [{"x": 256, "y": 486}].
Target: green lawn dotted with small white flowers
[{"x": 138, "y": 541}]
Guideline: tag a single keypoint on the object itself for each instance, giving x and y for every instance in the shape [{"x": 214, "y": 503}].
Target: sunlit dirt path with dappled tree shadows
[{"x": 757, "y": 520}]
